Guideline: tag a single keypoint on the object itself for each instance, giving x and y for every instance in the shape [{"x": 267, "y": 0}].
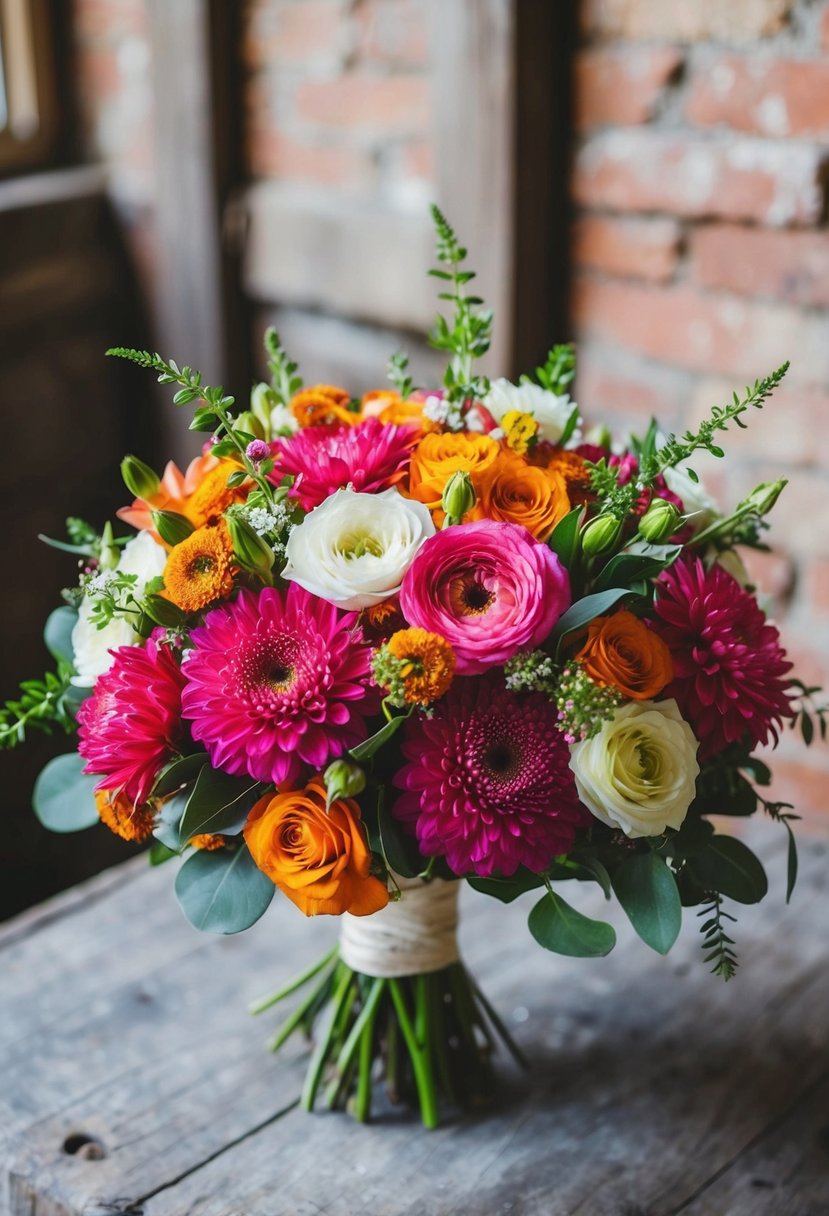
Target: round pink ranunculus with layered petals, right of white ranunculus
[{"x": 490, "y": 589}]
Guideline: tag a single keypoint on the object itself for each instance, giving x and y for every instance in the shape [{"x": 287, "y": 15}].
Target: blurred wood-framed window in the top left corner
[{"x": 29, "y": 87}]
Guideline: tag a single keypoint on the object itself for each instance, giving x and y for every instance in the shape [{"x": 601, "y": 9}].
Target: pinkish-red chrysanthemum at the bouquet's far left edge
[{"x": 132, "y": 724}]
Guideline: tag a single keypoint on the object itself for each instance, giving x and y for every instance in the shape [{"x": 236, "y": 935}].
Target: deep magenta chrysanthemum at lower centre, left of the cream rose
[{"x": 488, "y": 782}]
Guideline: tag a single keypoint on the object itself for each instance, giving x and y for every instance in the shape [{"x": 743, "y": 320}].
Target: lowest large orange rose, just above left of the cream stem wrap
[{"x": 319, "y": 859}]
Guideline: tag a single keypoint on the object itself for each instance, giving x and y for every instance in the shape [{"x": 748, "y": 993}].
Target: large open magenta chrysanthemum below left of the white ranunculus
[{"x": 275, "y": 682}]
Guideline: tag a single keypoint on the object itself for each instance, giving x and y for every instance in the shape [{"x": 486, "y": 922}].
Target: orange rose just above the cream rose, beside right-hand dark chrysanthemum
[{"x": 623, "y": 652}]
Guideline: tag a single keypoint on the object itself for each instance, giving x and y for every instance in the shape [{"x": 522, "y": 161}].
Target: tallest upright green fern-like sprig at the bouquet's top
[{"x": 467, "y": 336}]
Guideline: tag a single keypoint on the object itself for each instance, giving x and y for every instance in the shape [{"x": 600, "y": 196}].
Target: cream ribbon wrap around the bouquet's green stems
[{"x": 415, "y": 934}]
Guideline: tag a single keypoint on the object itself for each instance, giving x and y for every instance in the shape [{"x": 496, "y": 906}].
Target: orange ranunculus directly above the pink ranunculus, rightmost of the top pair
[{"x": 523, "y": 494}]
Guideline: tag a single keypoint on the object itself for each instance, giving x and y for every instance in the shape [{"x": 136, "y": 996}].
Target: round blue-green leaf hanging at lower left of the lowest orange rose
[{"x": 223, "y": 891}]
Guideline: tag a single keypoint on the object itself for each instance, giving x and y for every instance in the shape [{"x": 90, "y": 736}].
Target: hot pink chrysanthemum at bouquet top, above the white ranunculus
[{"x": 370, "y": 457}]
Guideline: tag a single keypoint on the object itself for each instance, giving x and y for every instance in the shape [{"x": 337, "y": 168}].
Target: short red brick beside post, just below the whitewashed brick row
[{"x": 635, "y": 249}]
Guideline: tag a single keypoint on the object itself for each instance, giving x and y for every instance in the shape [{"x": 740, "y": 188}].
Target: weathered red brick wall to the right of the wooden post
[{"x": 702, "y": 261}]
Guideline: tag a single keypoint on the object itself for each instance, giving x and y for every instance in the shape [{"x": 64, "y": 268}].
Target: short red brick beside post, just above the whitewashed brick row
[{"x": 623, "y": 86}]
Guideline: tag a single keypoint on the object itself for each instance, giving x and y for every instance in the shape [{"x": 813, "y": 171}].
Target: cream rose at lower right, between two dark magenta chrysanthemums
[{"x": 639, "y": 774}]
